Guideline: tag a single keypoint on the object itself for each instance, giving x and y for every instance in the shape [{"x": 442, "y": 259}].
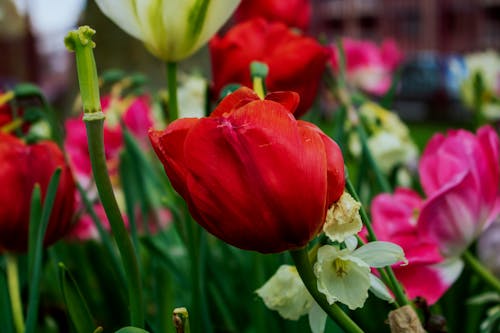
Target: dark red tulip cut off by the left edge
[{"x": 21, "y": 167}]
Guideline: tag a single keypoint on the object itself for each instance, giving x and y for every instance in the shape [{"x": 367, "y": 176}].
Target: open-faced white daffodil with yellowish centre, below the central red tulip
[{"x": 344, "y": 274}]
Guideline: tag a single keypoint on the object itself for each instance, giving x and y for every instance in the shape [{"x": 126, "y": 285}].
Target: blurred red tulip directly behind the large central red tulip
[{"x": 296, "y": 63}]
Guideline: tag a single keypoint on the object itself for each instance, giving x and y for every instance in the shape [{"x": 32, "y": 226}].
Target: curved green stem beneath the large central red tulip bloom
[{"x": 301, "y": 260}]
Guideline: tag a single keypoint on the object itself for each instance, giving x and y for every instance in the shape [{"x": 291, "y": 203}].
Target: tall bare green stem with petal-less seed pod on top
[{"x": 81, "y": 42}]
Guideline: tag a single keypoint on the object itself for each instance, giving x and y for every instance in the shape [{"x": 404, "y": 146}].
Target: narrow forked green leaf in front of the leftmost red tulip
[{"x": 38, "y": 226}]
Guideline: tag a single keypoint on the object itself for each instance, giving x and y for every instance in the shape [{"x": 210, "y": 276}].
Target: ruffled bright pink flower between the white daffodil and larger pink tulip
[{"x": 427, "y": 274}]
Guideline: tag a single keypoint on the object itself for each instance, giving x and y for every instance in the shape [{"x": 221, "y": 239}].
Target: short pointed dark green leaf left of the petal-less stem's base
[{"x": 75, "y": 302}]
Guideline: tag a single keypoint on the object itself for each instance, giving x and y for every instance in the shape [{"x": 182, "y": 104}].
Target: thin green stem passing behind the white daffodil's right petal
[{"x": 386, "y": 273}]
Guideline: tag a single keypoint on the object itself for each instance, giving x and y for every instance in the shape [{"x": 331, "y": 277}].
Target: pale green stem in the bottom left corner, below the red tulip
[{"x": 15, "y": 297}]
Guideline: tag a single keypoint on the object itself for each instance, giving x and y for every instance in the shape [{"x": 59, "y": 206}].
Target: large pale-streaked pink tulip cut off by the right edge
[{"x": 460, "y": 175}]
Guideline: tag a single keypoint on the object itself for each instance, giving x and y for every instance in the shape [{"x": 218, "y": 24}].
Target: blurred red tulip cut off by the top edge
[{"x": 294, "y": 13}]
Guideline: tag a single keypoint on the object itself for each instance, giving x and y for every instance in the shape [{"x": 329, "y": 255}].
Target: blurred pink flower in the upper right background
[{"x": 368, "y": 66}]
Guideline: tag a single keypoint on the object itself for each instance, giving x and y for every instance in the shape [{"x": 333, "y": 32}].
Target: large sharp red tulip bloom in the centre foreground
[{"x": 252, "y": 174}]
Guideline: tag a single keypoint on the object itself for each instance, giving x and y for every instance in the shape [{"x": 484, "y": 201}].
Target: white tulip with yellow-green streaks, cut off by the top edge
[{"x": 170, "y": 29}]
